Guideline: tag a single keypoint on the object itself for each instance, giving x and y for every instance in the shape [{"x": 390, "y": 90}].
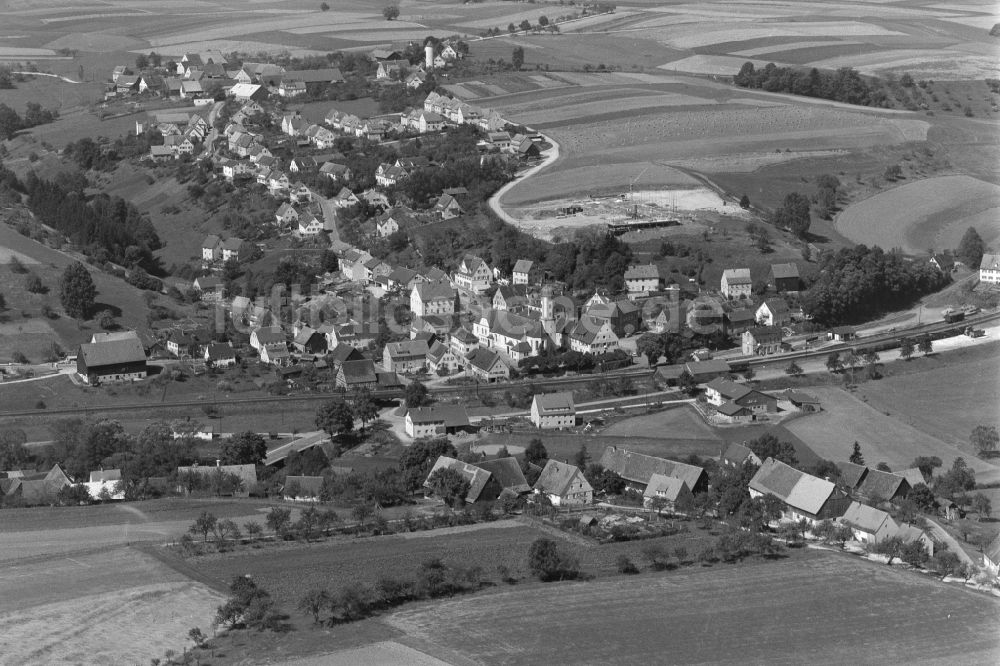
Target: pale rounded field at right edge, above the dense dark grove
[{"x": 928, "y": 213}]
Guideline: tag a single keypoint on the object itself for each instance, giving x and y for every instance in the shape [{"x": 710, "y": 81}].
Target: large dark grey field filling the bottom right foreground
[{"x": 762, "y": 613}]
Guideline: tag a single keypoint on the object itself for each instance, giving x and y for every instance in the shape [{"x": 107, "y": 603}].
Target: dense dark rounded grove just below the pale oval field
[{"x": 857, "y": 284}]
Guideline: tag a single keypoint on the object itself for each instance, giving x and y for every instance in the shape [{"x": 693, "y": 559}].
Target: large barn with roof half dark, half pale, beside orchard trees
[{"x": 804, "y": 496}]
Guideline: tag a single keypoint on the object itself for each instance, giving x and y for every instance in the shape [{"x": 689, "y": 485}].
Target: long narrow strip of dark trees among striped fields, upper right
[{"x": 844, "y": 85}]
